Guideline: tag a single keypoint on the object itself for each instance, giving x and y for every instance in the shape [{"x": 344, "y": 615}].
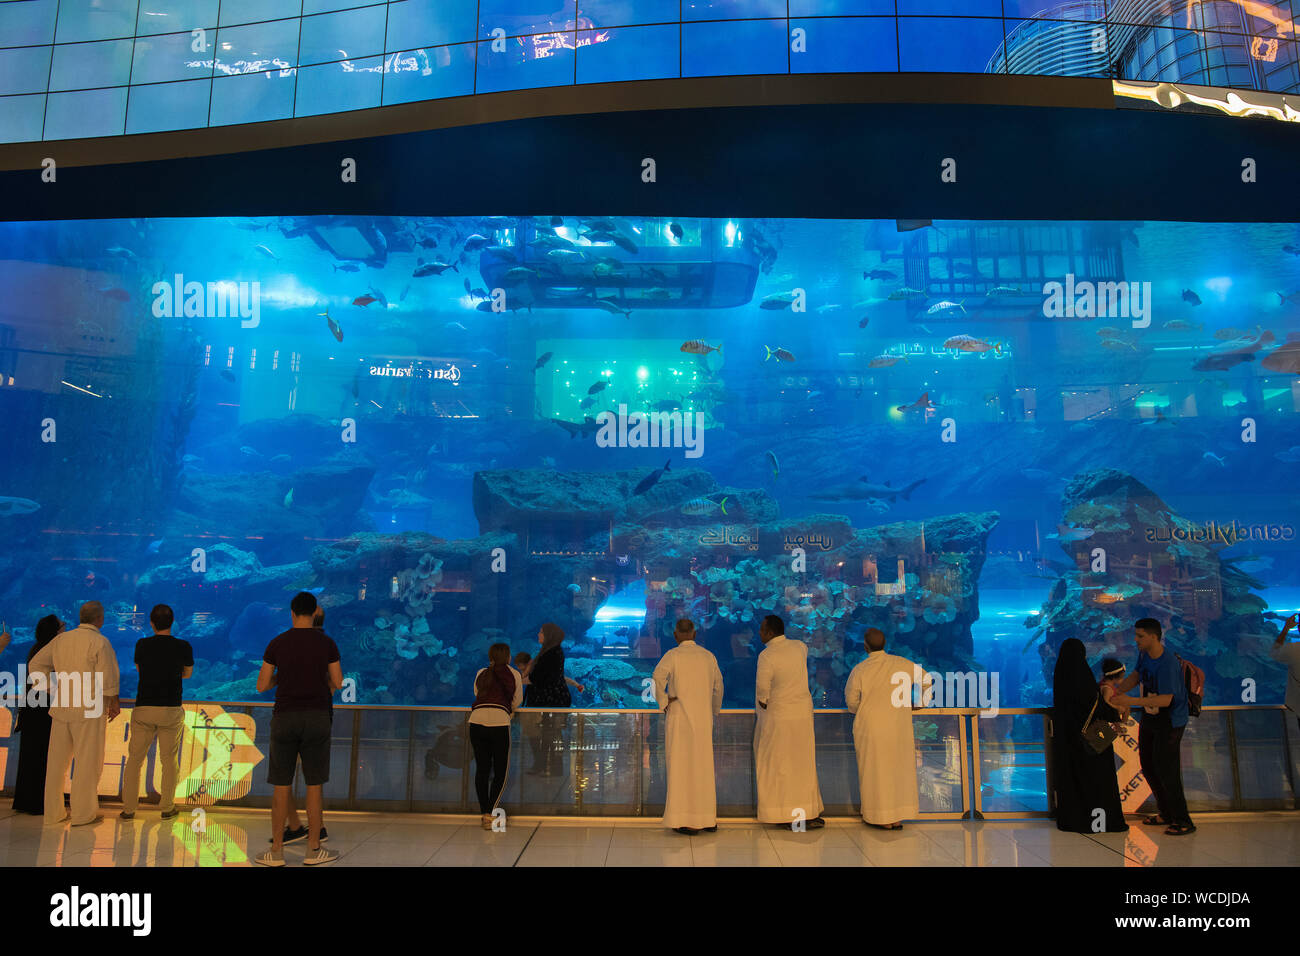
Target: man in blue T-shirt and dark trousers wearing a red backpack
[{"x": 1160, "y": 733}]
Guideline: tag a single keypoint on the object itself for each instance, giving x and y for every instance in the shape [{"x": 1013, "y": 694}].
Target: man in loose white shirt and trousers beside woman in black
[{"x": 86, "y": 686}]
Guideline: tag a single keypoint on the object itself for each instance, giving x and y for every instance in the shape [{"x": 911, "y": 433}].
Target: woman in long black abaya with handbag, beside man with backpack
[{"x": 1085, "y": 781}]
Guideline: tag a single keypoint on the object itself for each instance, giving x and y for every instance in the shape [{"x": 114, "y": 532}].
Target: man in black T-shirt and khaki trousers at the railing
[{"x": 164, "y": 663}]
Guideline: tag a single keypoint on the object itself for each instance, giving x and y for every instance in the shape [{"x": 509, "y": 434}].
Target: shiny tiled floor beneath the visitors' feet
[{"x": 232, "y": 837}]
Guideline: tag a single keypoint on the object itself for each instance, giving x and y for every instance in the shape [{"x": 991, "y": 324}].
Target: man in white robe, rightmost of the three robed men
[{"x": 879, "y": 695}]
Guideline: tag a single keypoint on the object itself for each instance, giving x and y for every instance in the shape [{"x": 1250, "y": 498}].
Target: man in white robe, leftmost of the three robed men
[{"x": 688, "y": 687}]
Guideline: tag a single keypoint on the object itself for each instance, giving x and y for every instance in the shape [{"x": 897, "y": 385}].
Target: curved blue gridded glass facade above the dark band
[{"x": 93, "y": 68}]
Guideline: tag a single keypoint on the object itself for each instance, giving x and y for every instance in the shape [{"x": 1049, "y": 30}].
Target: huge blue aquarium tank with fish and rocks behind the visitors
[{"x": 981, "y": 438}]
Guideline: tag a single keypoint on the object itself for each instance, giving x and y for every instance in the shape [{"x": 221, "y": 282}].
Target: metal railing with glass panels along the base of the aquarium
[{"x": 612, "y": 762}]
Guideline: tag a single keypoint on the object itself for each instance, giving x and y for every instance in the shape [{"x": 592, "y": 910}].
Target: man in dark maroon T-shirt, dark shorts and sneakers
[{"x": 304, "y": 667}]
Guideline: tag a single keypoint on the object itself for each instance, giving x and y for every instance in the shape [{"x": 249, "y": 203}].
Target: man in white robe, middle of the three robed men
[{"x": 785, "y": 749}]
